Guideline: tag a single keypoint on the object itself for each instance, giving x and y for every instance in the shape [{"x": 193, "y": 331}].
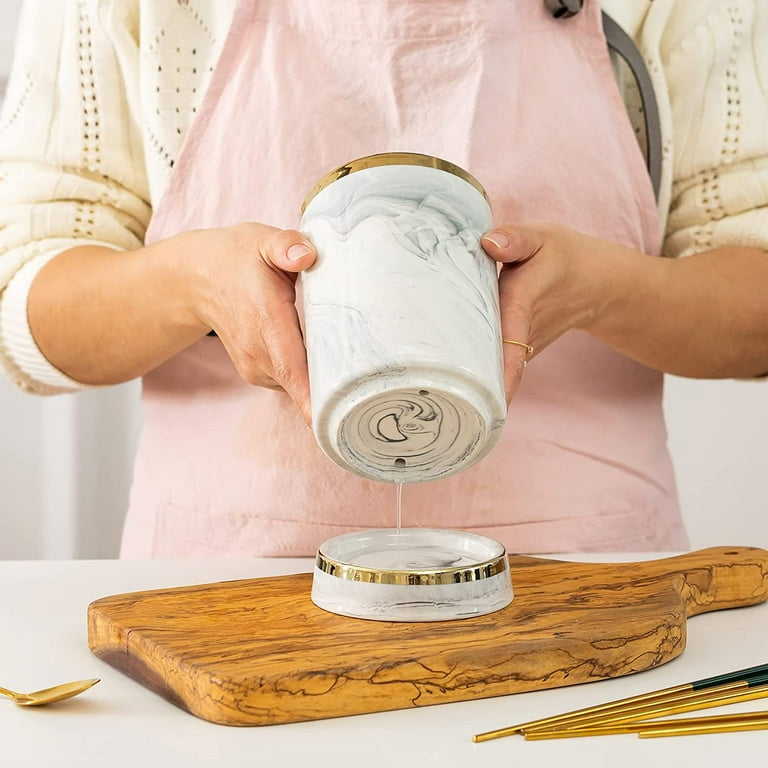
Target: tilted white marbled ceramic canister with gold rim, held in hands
[{"x": 401, "y": 317}]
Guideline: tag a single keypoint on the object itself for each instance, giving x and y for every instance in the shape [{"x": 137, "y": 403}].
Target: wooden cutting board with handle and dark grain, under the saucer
[{"x": 258, "y": 651}]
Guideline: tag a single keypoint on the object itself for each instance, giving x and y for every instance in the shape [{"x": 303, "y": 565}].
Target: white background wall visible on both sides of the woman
[{"x": 65, "y": 462}]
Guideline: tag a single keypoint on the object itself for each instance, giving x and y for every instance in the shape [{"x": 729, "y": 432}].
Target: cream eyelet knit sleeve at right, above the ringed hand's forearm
[{"x": 715, "y": 61}]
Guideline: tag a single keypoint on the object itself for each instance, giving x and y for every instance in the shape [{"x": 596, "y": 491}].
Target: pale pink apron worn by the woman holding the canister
[{"x": 528, "y": 105}]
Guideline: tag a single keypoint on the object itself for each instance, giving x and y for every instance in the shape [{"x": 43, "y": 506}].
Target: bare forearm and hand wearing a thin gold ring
[{"x": 701, "y": 316}]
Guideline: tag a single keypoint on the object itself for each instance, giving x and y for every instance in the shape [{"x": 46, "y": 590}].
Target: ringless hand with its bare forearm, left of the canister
[{"x": 103, "y": 316}]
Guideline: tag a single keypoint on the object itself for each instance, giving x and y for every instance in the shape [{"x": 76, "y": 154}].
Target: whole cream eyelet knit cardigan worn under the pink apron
[{"x": 103, "y": 93}]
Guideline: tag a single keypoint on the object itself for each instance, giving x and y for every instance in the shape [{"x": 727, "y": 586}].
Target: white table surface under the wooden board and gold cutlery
[{"x": 43, "y": 641}]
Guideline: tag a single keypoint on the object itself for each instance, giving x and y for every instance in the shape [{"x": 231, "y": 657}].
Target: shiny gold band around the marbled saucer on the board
[{"x": 458, "y": 575}]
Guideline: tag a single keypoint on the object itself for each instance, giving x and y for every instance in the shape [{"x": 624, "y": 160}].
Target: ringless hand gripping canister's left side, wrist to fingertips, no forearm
[{"x": 243, "y": 287}]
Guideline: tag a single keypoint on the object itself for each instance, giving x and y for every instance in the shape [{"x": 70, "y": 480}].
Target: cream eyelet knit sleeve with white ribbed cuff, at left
[{"x": 72, "y": 168}]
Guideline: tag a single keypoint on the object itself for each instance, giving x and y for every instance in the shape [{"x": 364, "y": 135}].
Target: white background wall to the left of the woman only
[{"x": 64, "y": 462}]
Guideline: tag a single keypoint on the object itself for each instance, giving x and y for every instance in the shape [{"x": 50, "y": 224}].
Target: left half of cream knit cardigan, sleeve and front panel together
[{"x": 101, "y": 99}]
